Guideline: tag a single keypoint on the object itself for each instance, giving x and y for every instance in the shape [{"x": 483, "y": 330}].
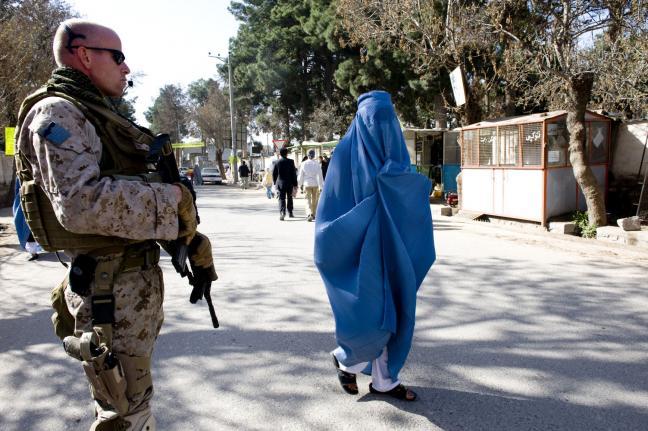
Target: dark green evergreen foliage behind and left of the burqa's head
[{"x": 291, "y": 58}]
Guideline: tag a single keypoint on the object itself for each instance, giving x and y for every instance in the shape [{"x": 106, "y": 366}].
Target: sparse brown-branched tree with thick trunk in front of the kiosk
[{"x": 571, "y": 56}]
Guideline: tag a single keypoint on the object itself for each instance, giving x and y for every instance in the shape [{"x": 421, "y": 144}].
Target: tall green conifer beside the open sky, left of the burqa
[{"x": 274, "y": 67}]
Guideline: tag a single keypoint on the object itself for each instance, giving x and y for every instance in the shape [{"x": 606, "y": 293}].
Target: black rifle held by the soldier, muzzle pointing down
[{"x": 161, "y": 155}]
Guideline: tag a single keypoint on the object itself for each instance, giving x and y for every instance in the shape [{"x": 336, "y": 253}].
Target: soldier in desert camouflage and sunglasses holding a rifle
[{"x": 82, "y": 167}]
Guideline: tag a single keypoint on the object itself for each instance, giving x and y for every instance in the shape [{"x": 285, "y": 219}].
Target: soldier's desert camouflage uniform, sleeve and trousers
[{"x": 68, "y": 172}]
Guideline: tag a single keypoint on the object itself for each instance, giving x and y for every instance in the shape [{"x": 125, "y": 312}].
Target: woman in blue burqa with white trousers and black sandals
[{"x": 373, "y": 247}]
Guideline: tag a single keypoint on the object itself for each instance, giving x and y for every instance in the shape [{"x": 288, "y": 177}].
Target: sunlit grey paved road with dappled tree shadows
[{"x": 515, "y": 331}]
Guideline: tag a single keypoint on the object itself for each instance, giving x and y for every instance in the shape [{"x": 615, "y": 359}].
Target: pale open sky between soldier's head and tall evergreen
[{"x": 167, "y": 41}]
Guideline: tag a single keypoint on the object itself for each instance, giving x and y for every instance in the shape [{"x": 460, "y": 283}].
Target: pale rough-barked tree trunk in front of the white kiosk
[{"x": 580, "y": 92}]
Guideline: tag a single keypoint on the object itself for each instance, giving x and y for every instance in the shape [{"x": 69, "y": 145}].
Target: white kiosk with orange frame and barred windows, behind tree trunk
[{"x": 519, "y": 167}]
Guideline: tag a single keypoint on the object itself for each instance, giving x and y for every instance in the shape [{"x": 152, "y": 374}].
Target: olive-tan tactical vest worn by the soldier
[{"x": 124, "y": 150}]
